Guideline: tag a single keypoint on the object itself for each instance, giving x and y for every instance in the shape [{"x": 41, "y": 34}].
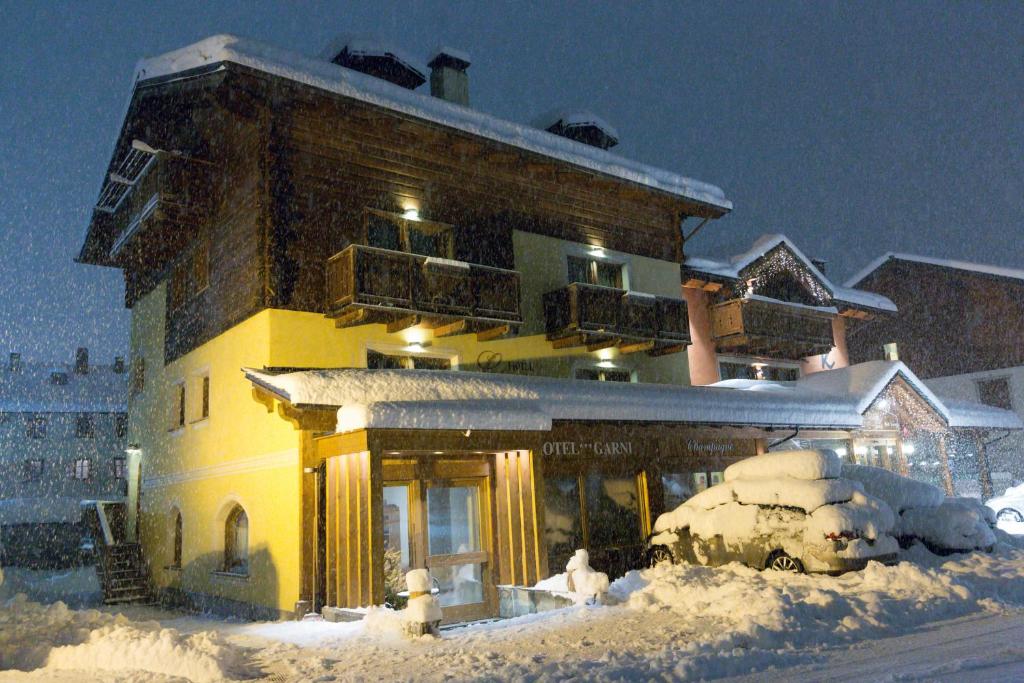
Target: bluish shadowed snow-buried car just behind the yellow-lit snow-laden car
[{"x": 924, "y": 514}]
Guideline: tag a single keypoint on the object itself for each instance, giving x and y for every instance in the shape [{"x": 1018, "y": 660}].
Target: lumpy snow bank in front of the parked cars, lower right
[{"x": 752, "y": 620}]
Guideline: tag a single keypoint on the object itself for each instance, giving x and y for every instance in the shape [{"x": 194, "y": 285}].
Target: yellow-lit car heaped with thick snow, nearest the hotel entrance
[{"x": 787, "y": 511}]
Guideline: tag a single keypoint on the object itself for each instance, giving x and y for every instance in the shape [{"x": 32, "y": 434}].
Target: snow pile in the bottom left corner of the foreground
[{"x": 54, "y": 638}]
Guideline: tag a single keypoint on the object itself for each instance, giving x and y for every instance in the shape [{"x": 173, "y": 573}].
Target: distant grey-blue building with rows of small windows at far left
[{"x": 63, "y": 430}]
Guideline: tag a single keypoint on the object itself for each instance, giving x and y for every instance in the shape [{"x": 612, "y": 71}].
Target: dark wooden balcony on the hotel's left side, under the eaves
[{"x": 154, "y": 188}]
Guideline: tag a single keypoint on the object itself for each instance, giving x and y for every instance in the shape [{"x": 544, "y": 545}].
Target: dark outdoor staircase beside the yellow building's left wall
[{"x": 120, "y": 566}]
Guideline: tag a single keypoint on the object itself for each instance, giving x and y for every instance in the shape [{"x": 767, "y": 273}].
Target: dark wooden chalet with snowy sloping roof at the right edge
[{"x": 961, "y": 327}]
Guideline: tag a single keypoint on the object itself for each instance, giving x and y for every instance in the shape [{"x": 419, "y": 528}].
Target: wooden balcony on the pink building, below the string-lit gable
[{"x": 776, "y": 329}]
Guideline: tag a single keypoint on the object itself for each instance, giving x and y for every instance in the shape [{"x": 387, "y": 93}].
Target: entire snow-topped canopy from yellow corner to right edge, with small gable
[{"x": 439, "y": 400}]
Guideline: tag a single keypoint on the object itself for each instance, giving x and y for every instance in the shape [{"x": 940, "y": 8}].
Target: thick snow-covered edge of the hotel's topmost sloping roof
[{"x": 217, "y": 51}]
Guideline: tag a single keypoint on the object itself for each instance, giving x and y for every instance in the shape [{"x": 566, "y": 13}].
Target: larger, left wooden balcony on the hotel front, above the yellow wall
[{"x": 371, "y": 285}]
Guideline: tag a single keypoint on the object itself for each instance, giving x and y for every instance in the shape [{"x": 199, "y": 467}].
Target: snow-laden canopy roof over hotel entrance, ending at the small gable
[{"x": 430, "y": 400}]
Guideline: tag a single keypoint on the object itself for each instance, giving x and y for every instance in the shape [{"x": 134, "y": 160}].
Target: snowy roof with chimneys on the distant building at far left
[{"x": 31, "y": 390}]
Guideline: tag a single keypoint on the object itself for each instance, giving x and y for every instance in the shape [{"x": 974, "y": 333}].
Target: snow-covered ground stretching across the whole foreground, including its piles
[{"x": 675, "y": 622}]
